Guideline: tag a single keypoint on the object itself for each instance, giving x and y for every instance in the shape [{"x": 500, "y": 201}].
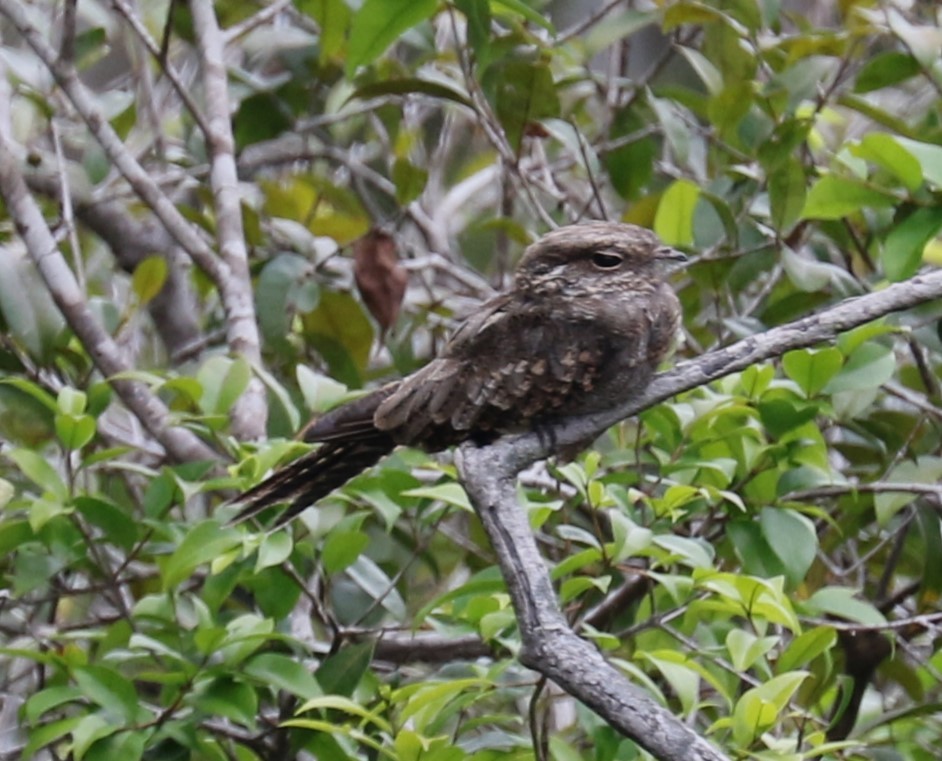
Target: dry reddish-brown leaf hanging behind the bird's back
[{"x": 379, "y": 276}]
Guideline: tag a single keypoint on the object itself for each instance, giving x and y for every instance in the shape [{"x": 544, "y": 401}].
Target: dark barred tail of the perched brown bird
[{"x": 313, "y": 476}]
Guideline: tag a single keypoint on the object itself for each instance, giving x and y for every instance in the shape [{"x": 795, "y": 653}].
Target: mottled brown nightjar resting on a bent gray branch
[{"x": 586, "y": 323}]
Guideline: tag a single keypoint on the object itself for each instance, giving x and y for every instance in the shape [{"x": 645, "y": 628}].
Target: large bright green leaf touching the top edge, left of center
[{"x": 377, "y": 25}]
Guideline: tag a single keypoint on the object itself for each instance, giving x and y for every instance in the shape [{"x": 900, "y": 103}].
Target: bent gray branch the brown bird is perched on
[{"x": 549, "y": 645}]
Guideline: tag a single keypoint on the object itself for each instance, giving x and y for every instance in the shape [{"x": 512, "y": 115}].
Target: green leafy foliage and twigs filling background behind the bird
[{"x": 762, "y": 554}]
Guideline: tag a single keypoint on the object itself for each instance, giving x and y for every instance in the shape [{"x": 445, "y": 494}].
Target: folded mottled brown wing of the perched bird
[{"x": 502, "y": 368}]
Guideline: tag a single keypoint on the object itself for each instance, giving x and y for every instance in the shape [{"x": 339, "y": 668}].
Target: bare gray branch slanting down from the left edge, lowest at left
[{"x": 180, "y": 443}]
